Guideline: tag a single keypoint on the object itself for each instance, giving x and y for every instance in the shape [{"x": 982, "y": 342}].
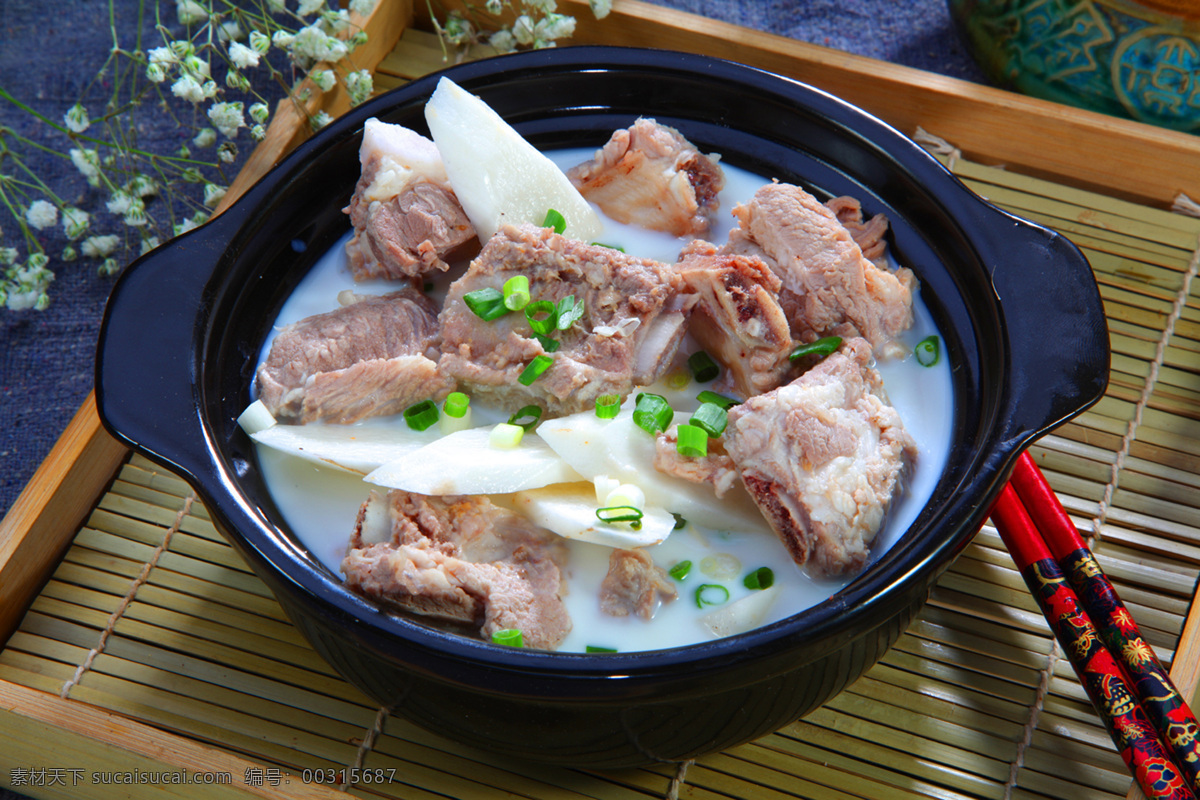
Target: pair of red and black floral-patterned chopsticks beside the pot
[{"x": 1150, "y": 723}]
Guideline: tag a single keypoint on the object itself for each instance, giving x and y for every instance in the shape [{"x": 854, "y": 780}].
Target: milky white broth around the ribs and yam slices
[{"x": 321, "y": 503}]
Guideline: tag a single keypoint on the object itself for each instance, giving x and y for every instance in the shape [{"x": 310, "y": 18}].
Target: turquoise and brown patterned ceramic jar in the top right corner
[{"x": 1137, "y": 59}]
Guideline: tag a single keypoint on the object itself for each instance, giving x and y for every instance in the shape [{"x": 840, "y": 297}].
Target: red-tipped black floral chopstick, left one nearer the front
[{"x": 1102, "y": 677}]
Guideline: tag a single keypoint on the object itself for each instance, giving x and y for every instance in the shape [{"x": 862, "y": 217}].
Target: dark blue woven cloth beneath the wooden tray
[{"x": 49, "y": 53}]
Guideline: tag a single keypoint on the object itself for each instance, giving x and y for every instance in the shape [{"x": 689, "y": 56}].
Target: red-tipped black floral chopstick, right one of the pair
[{"x": 1151, "y": 683}]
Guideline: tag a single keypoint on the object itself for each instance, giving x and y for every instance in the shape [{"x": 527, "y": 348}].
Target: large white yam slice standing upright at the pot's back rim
[{"x": 499, "y": 177}]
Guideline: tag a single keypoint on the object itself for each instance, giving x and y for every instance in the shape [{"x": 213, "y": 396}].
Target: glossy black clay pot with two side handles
[{"x": 1017, "y": 304}]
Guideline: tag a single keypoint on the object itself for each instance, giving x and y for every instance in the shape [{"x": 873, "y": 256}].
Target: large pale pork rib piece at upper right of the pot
[{"x": 830, "y": 288}]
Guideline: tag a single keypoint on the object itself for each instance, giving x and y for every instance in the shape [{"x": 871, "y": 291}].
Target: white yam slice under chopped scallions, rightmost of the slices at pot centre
[{"x": 621, "y": 450}]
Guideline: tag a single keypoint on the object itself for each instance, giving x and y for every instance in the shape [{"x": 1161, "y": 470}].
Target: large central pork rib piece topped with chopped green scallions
[{"x": 634, "y": 320}]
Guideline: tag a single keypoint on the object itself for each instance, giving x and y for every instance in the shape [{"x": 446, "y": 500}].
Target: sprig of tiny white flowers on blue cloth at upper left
[{"x": 220, "y": 65}]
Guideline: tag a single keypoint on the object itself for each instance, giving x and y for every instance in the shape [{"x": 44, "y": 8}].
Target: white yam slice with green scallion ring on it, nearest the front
[{"x": 571, "y": 512}]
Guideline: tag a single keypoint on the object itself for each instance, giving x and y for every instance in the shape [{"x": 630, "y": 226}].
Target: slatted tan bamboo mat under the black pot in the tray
[{"x": 153, "y": 617}]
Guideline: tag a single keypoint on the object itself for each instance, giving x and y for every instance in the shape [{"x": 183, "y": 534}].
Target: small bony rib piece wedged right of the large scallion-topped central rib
[{"x": 737, "y": 318}]
